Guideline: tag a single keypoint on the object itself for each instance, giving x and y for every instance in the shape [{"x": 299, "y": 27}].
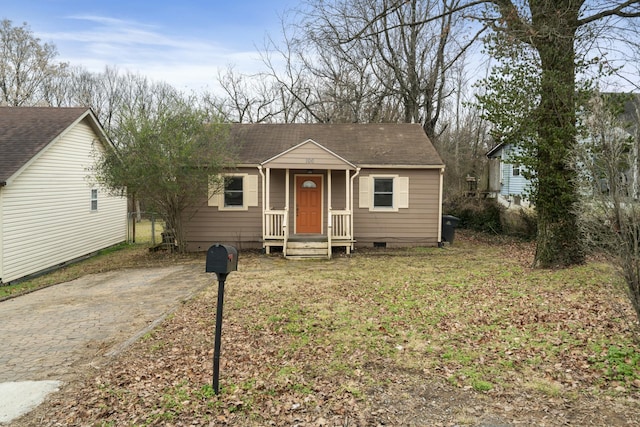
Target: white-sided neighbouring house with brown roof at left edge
[{"x": 51, "y": 211}]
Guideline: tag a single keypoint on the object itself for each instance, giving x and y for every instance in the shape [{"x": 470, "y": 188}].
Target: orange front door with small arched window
[{"x": 308, "y": 204}]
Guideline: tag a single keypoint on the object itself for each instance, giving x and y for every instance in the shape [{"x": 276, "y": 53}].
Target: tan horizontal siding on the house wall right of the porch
[{"x": 416, "y": 225}]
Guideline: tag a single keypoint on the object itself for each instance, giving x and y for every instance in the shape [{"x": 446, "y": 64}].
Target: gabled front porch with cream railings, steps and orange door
[{"x": 307, "y": 206}]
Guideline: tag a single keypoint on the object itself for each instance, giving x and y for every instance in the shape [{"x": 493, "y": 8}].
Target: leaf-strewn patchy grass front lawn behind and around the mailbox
[{"x": 464, "y": 335}]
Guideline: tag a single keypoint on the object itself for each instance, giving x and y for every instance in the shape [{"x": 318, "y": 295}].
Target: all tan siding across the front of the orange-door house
[{"x": 417, "y": 224}]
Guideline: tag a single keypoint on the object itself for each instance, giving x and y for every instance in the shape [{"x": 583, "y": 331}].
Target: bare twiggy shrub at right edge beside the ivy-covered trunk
[{"x": 606, "y": 164}]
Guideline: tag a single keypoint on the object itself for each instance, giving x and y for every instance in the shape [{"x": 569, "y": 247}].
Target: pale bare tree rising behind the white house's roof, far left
[{"x": 27, "y": 67}]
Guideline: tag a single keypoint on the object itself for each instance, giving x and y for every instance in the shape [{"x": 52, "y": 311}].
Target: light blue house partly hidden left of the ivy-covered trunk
[{"x": 507, "y": 182}]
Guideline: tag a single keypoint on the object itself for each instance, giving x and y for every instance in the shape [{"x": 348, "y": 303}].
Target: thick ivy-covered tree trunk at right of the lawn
[{"x": 558, "y": 242}]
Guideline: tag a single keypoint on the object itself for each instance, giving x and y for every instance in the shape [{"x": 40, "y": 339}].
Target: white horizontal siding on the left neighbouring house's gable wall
[{"x": 47, "y": 218}]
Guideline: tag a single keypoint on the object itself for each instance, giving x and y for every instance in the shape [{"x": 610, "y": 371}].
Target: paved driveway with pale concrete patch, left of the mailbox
[{"x": 48, "y": 334}]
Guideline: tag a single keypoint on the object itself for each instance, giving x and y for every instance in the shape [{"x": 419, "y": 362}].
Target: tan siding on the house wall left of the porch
[{"x": 207, "y": 225}]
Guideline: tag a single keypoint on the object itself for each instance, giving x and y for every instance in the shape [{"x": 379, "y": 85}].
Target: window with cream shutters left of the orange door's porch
[{"x": 240, "y": 192}]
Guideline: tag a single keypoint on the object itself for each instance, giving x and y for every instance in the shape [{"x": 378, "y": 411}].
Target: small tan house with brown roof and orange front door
[{"x": 308, "y": 188}]
